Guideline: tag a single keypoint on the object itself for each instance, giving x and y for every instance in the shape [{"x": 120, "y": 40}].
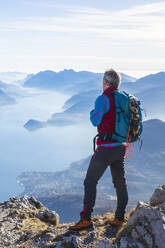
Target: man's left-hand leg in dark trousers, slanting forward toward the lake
[{"x": 97, "y": 167}]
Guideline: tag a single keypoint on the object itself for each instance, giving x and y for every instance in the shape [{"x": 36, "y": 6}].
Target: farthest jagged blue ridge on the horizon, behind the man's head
[{"x": 69, "y": 81}]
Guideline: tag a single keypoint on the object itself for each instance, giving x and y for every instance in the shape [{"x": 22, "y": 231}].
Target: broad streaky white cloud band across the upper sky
[{"x": 144, "y": 22}]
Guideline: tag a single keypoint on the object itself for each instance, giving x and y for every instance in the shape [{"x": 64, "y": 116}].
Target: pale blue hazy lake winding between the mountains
[{"x": 48, "y": 149}]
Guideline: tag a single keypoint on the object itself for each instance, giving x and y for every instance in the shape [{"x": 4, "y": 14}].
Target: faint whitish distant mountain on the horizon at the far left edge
[{"x": 9, "y": 77}]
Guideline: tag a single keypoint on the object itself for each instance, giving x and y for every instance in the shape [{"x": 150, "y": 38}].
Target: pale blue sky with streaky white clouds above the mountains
[{"x": 88, "y": 35}]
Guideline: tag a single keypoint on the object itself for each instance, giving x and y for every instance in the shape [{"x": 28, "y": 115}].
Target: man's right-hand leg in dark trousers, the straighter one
[{"x": 119, "y": 181}]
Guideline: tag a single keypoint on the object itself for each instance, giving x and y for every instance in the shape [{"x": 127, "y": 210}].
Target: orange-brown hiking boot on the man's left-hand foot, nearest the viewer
[{"x": 82, "y": 225}]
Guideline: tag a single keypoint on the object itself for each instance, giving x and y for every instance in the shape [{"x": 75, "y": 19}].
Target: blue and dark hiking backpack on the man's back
[{"x": 128, "y": 124}]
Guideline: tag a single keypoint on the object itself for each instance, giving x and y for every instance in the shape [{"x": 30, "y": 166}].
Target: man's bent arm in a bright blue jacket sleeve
[{"x": 102, "y": 106}]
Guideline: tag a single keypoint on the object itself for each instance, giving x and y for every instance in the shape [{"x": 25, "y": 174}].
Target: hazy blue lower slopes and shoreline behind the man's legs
[{"x": 144, "y": 172}]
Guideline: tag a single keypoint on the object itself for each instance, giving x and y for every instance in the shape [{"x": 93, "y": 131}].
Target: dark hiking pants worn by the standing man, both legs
[{"x": 104, "y": 157}]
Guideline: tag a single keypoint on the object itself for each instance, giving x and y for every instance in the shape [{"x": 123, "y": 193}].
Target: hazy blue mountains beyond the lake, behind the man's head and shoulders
[{"x": 149, "y": 89}]
